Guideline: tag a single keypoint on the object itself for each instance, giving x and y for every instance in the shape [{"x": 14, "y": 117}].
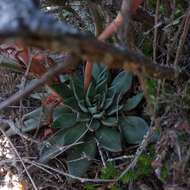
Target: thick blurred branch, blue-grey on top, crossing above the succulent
[{"x": 21, "y": 19}]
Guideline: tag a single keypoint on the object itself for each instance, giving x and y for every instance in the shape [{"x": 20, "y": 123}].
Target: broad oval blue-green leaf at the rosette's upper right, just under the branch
[{"x": 122, "y": 82}]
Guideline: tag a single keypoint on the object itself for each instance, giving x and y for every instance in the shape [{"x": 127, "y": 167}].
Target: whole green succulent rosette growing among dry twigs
[{"x": 98, "y": 116}]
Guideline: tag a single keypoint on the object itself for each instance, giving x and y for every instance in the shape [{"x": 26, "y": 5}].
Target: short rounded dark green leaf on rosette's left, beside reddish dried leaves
[{"x": 64, "y": 118}]
